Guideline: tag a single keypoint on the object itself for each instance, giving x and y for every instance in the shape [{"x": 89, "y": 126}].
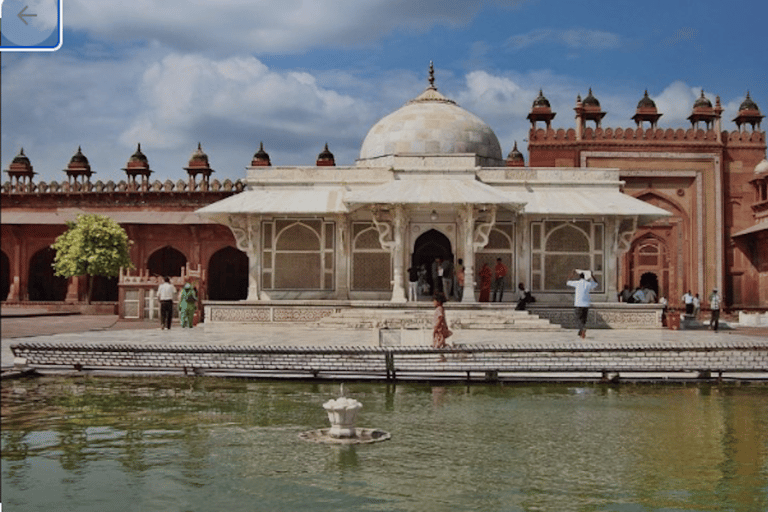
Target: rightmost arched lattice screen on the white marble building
[{"x": 557, "y": 247}]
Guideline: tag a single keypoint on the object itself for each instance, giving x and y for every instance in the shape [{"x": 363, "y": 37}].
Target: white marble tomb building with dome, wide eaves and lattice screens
[{"x": 430, "y": 181}]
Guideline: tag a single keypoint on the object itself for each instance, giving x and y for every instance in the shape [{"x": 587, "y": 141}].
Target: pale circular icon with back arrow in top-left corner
[{"x": 30, "y": 22}]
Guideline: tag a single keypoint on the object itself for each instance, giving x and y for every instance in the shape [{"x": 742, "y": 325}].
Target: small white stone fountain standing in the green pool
[{"x": 342, "y": 413}]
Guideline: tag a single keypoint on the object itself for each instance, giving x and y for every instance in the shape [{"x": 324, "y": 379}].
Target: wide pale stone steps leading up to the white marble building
[{"x": 422, "y": 318}]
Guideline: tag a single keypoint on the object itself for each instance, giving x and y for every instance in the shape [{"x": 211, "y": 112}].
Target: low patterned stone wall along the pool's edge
[{"x": 390, "y": 363}]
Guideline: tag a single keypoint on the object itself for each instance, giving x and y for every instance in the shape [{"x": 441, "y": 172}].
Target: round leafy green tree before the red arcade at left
[{"x": 94, "y": 245}]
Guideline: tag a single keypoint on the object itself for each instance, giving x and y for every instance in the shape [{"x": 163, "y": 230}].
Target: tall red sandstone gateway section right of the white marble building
[{"x": 712, "y": 181}]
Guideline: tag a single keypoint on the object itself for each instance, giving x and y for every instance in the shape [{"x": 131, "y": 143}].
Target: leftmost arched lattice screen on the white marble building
[{"x": 298, "y": 254}]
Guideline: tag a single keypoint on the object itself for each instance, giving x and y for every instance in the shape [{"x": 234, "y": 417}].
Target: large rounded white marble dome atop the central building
[{"x": 431, "y": 124}]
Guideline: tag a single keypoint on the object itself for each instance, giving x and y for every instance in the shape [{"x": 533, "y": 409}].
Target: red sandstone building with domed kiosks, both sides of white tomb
[{"x": 713, "y": 182}]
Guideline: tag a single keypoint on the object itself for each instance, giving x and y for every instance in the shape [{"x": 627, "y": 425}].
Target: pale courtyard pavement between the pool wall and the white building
[{"x": 32, "y": 327}]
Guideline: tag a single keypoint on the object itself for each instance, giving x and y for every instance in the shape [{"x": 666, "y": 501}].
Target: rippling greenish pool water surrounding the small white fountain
[{"x": 204, "y": 443}]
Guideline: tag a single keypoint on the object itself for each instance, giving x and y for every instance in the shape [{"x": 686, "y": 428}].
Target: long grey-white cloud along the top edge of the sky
[{"x": 266, "y": 26}]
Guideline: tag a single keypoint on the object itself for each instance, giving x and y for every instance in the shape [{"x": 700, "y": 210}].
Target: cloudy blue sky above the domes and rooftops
[{"x": 296, "y": 74}]
